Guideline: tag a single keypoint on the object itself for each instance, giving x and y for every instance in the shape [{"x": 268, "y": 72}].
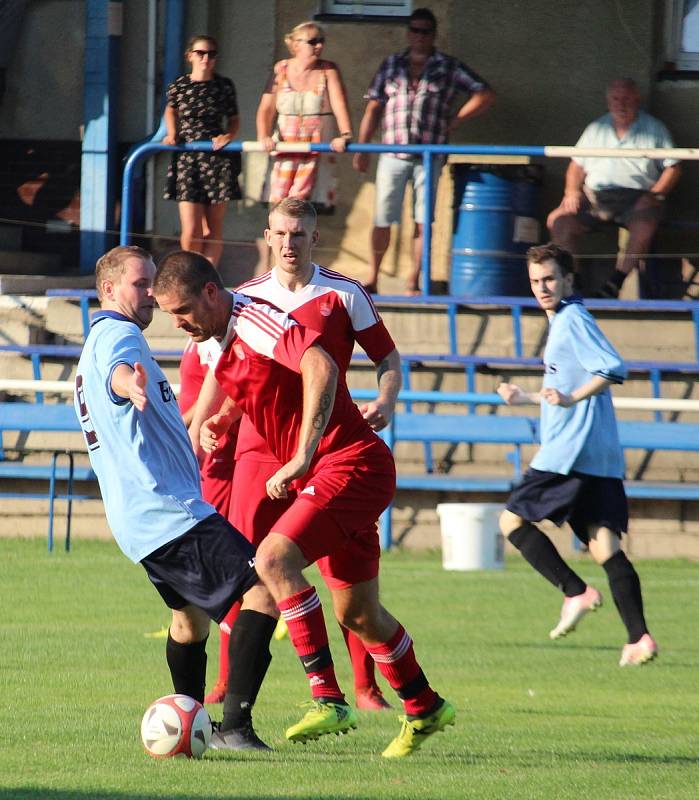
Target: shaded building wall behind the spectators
[{"x": 549, "y": 63}]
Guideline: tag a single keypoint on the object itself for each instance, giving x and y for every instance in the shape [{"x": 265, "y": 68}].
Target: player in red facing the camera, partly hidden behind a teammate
[{"x": 343, "y": 312}]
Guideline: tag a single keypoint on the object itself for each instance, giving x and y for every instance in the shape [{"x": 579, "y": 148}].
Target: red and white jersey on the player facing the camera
[{"x": 332, "y": 304}]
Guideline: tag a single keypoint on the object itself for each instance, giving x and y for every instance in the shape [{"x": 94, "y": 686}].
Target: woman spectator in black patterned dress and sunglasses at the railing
[{"x": 202, "y": 183}]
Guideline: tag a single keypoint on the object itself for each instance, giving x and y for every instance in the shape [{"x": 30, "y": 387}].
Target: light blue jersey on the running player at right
[{"x": 584, "y": 437}]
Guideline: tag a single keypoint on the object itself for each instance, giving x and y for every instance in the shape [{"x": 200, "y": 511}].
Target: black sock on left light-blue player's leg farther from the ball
[{"x": 249, "y": 658}]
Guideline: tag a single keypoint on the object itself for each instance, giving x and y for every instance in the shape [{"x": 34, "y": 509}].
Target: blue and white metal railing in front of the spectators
[{"x": 426, "y": 152}]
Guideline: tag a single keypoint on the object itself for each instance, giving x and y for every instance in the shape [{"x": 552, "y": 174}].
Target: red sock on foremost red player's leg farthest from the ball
[{"x": 397, "y": 663}]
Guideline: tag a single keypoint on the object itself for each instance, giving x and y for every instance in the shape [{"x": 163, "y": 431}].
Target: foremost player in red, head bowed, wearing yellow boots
[{"x": 342, "y": 476}]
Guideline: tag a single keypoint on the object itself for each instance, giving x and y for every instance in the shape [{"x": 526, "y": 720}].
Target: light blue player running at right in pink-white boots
[{"x": 576, "y": 476}]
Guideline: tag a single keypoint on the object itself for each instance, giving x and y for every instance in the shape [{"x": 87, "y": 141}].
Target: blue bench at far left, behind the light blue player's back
[{"x": 44, "y": 417}]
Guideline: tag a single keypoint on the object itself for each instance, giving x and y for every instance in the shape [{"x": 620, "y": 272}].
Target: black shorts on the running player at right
[{"x": 579, "y": 499}]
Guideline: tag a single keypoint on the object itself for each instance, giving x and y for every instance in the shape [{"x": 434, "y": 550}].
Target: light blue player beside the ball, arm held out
[{"x": 150, "y": 484}]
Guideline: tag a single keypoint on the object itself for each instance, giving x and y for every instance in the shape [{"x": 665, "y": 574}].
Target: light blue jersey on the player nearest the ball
[{"x": 147, "y": 470}]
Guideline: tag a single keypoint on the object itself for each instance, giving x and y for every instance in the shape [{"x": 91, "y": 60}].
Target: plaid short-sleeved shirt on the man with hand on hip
[{"x": 420, "y": 114}]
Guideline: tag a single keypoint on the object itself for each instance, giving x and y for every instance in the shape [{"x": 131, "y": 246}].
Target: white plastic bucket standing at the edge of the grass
[{"x": 471, "y": 537}]
